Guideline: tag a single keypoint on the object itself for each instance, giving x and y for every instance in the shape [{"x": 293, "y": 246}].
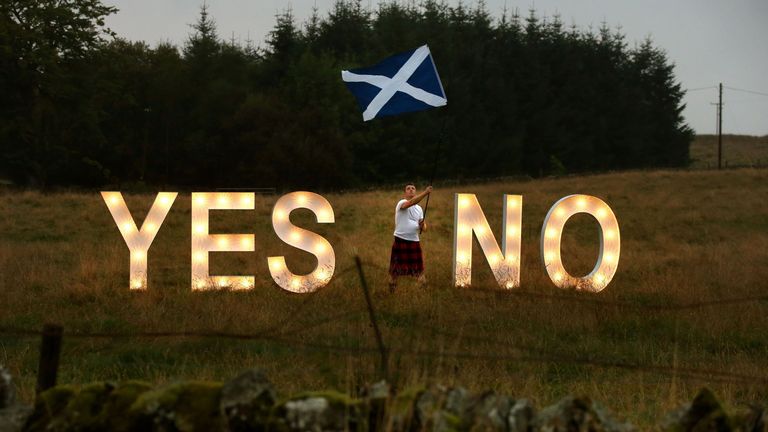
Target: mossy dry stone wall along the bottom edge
[{"x": 250, "y": 403}]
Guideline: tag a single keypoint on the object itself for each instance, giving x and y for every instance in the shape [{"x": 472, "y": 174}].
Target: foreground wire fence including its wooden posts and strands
[{"x": 281, "y": 333}]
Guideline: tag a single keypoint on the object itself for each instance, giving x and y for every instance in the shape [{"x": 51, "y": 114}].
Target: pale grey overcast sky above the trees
[{"x": 709, "y": 41}]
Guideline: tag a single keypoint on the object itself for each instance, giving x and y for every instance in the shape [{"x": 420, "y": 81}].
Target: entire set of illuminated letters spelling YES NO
[{"x": 469, "y": 220}]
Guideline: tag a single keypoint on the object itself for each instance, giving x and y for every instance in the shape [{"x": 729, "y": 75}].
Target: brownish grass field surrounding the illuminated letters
[{"x": 687, "y": 236}]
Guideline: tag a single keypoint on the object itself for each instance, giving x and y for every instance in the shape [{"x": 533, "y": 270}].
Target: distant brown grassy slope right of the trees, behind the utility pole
[{"x": 738, "y": 150}]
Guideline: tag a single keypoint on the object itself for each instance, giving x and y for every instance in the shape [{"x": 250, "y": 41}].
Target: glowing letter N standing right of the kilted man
[{"x": 468, "y": 219}]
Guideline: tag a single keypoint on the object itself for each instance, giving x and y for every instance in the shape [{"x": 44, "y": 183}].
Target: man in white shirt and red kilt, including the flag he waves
[{"x": 405, "y": 82}]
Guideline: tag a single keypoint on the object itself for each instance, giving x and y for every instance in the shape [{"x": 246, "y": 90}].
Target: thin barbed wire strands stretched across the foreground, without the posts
[{"x": 279, "y": 333}]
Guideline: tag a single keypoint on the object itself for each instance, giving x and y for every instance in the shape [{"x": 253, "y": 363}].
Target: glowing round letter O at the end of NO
[{"x": 610, "y": 242}]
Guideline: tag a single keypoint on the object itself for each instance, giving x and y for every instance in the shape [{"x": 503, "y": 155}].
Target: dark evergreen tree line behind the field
[{"x": 526, "y": 95}]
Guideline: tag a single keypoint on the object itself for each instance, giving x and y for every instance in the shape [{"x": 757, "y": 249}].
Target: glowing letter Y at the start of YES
[{"x": 138, "y": 241}]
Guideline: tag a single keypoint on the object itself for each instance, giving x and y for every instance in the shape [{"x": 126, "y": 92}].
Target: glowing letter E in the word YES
[{"x": 203, "y": 243}]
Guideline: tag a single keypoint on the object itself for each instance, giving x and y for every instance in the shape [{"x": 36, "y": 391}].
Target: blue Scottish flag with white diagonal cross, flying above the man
[{"x": 405, "y": 82}]
